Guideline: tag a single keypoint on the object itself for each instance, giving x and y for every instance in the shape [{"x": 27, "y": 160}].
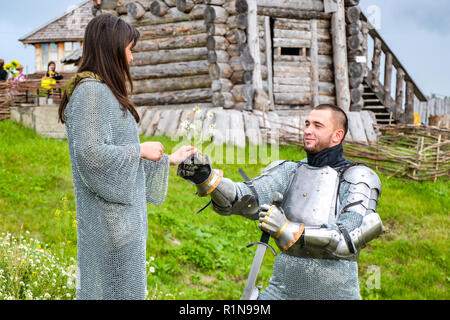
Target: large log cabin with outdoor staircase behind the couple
[{"x": 258, "y": 65}]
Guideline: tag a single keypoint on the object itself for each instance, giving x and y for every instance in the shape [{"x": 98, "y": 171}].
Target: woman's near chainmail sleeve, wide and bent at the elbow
[{"x": 107, "y": 170}]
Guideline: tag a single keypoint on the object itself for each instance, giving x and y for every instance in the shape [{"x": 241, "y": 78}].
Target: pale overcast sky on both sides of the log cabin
[{"x": 418, "y": 31}]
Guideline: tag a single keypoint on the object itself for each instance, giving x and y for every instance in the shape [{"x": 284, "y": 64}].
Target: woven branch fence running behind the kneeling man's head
[{"x": 402, "y": 151}]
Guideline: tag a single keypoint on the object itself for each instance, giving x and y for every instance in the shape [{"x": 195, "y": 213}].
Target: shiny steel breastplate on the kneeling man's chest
[{"x": 311, "y": 196}]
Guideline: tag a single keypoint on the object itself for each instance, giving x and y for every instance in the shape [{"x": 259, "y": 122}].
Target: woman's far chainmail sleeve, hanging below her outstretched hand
[{"x": 156, "y": 179}]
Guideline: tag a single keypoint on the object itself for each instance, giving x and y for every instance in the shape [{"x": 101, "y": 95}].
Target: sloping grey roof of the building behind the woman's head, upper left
[{"x": 68, "y": 27}]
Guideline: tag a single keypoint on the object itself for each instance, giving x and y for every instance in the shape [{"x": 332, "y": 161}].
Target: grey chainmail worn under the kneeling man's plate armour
[{"x": 297, "y": 278}]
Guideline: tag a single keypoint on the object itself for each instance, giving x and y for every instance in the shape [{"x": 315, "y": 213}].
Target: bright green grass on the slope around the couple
[{"x": 203, "y": 256}]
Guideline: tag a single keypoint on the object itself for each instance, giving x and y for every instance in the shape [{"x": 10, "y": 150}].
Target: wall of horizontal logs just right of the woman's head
[{"x": 171, "y": 64}]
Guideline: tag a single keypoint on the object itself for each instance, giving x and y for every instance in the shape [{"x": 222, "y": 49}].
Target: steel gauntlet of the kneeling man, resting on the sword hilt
[{"x": 273, "y": 220}]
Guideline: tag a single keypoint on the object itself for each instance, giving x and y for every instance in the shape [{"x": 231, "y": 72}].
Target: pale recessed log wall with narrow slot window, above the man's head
[{"x": 305, "y": 77}]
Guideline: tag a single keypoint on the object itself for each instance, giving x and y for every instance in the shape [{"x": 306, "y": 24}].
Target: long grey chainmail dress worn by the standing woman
[{"x": 112, "y": 187}]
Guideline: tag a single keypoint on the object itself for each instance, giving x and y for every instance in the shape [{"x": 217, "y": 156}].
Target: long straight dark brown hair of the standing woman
[{"x": 105, "y": 41}]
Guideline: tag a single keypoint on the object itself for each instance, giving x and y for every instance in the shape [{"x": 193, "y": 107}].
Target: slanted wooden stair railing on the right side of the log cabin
[{"x": 399, "y": 103}]
